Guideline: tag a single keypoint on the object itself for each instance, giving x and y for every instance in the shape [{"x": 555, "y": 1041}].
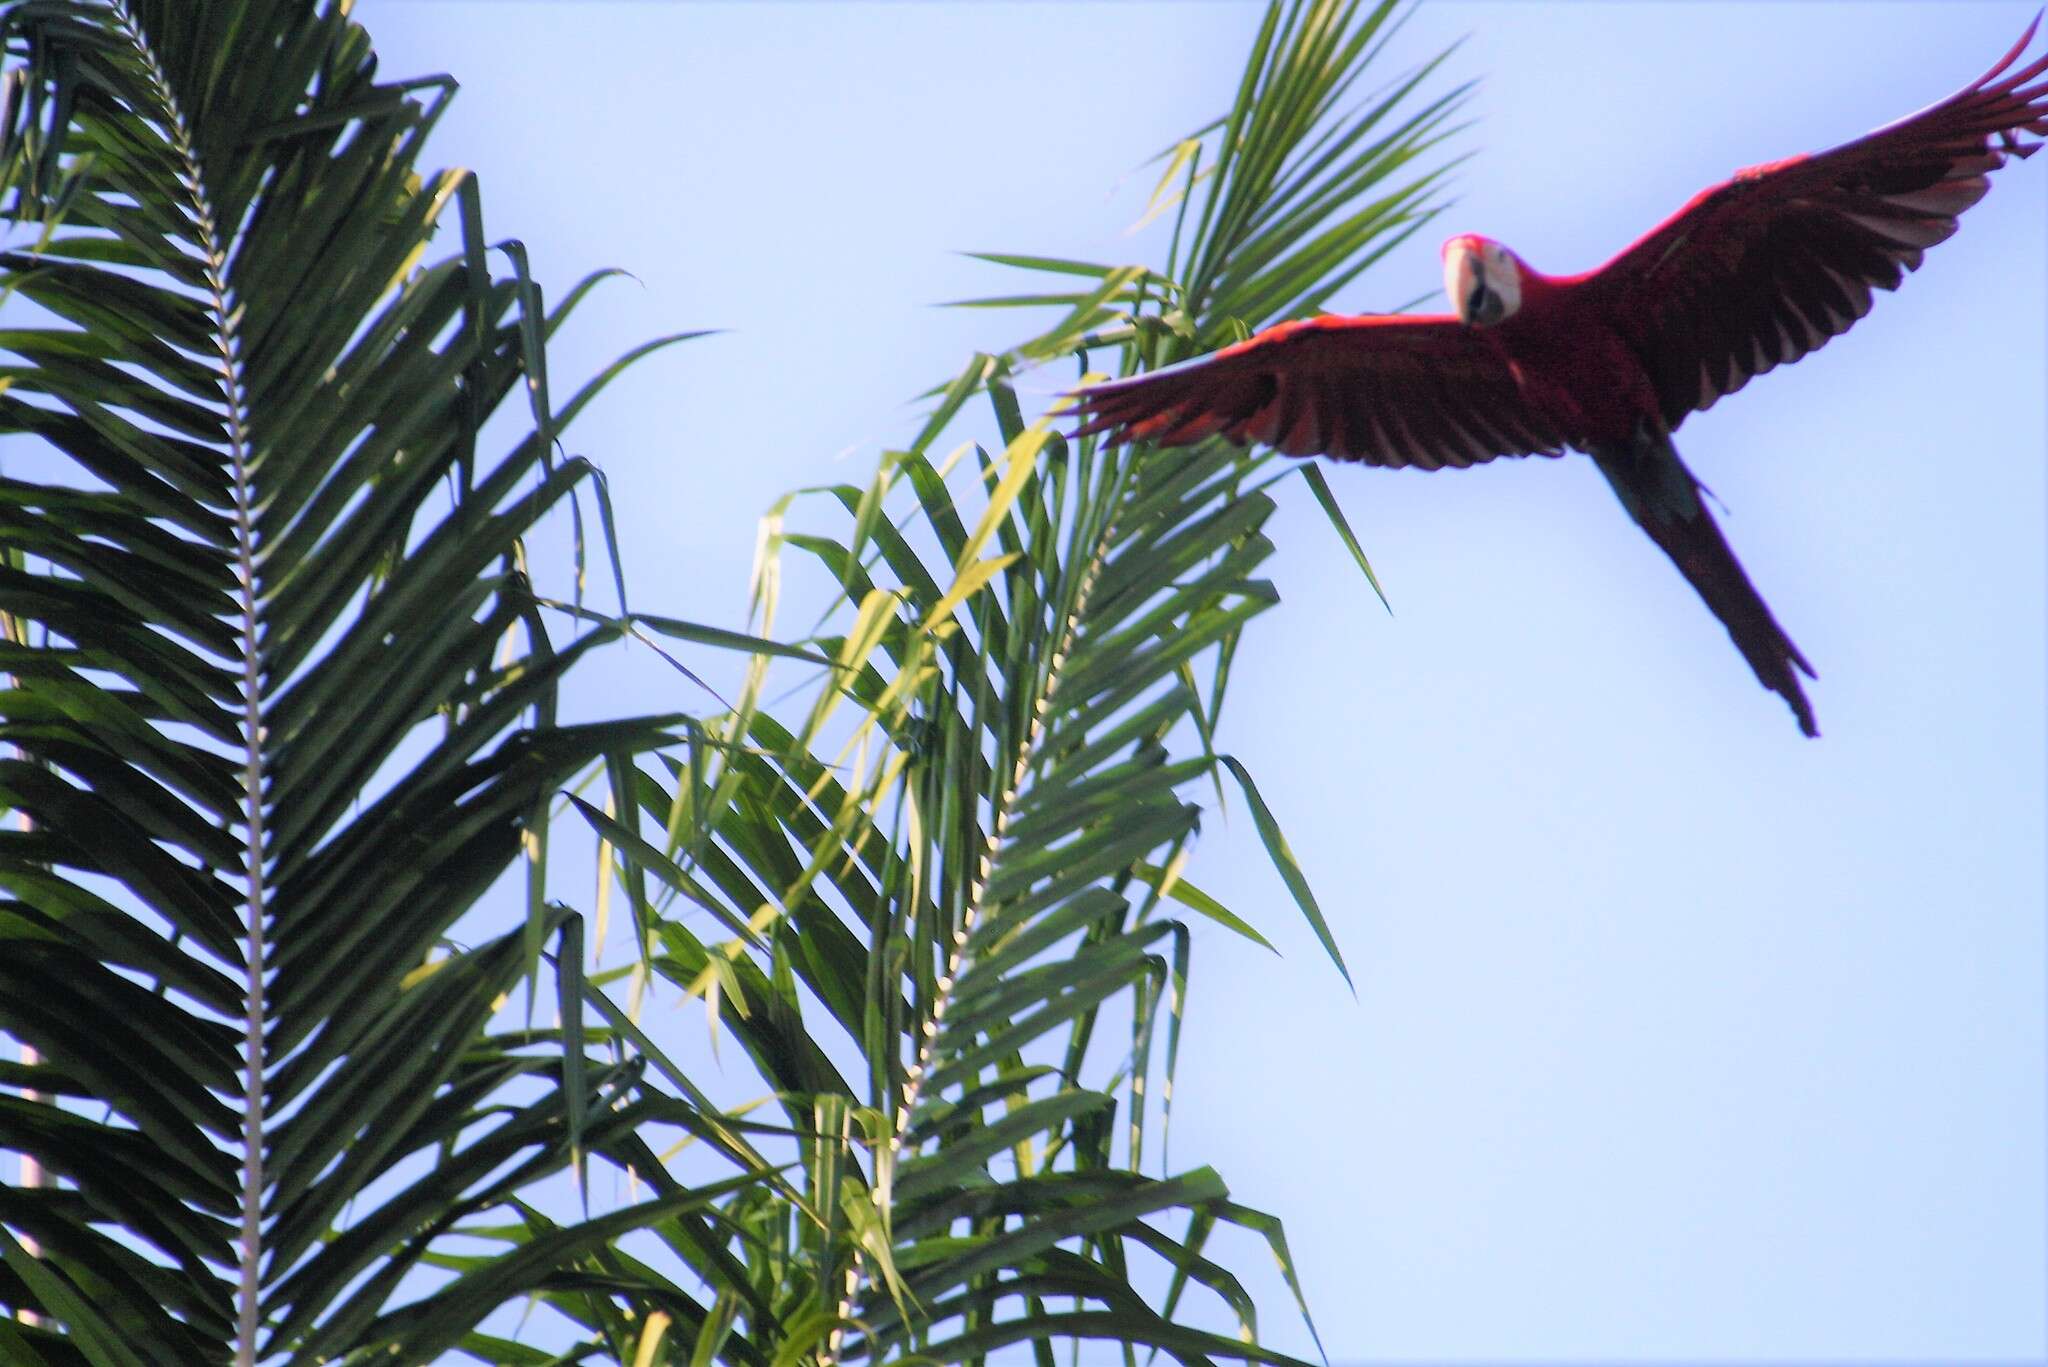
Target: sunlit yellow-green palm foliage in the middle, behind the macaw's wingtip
[{"x": 962, "y": 860}]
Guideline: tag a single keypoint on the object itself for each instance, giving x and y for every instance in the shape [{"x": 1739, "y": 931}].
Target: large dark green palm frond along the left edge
[{"x": 280, "y": 702}]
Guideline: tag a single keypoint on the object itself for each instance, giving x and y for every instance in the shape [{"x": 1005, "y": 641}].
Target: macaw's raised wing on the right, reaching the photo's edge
[{"x": 1783, "y": 257}]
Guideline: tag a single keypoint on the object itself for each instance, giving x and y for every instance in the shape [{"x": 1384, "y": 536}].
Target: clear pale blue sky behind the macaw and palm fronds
[{"x": 1676, "y": 1036}]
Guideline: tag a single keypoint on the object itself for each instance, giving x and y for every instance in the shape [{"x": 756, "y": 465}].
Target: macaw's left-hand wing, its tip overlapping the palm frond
[{"x": 1379, "y": 388}]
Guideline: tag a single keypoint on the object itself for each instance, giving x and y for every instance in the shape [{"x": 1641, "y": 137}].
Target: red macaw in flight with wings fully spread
[{"x": 1752, "y": 274}]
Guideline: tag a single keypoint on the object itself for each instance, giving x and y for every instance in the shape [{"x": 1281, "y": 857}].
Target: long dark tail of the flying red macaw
[{"x": 1664, "y": 497}]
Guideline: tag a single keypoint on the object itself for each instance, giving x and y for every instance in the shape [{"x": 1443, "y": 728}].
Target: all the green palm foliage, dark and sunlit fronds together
[{"x": 284, "y": 708}]
